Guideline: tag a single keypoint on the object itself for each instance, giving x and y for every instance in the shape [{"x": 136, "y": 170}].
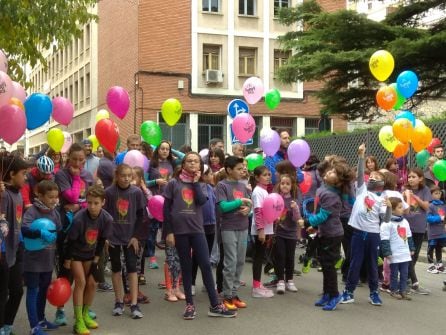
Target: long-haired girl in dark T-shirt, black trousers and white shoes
[{"x": 287, "y": 233}]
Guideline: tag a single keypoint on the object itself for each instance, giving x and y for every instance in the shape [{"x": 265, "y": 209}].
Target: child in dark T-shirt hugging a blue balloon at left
[{"x": 39, "y": 264}]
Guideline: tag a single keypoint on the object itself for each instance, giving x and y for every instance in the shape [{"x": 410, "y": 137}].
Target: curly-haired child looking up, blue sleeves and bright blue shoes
[{"x": 328, "y": 204}]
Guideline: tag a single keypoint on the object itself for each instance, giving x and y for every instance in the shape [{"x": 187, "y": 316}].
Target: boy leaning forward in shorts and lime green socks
[{"x": 86, "y": 240}]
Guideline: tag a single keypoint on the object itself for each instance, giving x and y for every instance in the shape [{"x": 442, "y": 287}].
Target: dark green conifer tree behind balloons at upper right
[{"x": 335, "y": 48}]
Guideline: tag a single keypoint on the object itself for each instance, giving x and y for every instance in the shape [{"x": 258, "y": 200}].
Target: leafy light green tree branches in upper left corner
[{"x": 28, "y": 27}]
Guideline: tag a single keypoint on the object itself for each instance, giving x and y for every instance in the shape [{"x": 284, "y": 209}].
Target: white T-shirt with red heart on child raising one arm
[{"x": 366, "y": 210}]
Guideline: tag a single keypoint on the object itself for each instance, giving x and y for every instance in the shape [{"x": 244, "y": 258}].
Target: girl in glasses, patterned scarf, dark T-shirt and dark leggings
[{"x": 183, "y": 223}]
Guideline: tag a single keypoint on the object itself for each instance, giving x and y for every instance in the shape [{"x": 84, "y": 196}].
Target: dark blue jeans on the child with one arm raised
[{"x": 364, "y": 247}]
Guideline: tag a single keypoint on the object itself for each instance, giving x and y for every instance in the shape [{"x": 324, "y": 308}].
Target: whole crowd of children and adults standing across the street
[{"x": 212, "y": 214}]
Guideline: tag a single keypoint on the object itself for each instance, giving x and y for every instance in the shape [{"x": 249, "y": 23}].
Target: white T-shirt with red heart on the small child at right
[{"x": 397, "y": 233}]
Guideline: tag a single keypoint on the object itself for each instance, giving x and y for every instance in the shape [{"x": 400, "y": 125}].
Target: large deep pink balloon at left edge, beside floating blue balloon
[{"x": 13, "y": 123}]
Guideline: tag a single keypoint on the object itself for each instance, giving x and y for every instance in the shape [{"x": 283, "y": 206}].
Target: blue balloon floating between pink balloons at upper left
[{"x": 38, "y": 108}]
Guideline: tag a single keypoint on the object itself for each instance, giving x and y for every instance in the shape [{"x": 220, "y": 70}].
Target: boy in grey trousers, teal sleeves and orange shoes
[{"x": 234, "y": 206}]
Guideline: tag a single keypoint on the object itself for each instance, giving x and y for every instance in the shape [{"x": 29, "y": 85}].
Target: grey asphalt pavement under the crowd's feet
[{"x": 287, "y": 314}]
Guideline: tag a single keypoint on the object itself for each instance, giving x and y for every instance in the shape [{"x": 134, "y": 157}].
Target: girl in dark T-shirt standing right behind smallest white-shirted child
[{"x": 418, "y": 196}]
